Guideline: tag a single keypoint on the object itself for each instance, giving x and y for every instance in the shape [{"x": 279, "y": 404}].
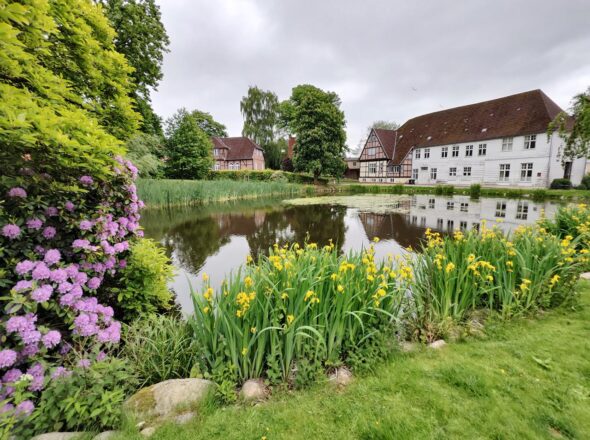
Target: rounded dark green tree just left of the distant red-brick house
[{"x": 189, "y": 149}]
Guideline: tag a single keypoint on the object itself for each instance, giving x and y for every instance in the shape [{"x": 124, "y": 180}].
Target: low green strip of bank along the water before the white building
[{"x": 537, "y": 193}]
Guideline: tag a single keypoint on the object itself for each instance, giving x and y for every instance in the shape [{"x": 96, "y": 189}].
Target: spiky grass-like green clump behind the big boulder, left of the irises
[{"x": 159, "y": 348}]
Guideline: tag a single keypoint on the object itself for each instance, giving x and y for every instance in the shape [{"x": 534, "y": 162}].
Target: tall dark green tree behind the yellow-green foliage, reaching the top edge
[{"x": 142, "y": 38}]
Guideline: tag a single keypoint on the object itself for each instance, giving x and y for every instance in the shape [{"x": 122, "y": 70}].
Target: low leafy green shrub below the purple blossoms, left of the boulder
[{"x": 88, "y": 399}]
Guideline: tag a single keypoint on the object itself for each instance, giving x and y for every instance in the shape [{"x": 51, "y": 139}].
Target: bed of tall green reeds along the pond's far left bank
[{"x": 159, "y": 193}]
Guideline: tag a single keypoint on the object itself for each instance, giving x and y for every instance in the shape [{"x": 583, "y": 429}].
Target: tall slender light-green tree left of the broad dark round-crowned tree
[{"x": 260, "y": 109}]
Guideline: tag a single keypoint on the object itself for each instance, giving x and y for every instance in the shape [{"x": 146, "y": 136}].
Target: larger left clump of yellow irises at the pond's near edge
[{"x": 297, "y": 303}]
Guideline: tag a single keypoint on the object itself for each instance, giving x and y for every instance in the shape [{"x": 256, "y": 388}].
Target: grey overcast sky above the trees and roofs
[{"x": 386, "y": 59}]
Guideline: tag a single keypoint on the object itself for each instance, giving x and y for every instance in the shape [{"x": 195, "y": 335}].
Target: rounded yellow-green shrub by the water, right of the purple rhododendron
[{"x": 143, "y": 288}]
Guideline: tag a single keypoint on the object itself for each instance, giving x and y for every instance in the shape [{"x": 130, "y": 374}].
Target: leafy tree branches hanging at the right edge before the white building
[{"x": 575, "y": 132}]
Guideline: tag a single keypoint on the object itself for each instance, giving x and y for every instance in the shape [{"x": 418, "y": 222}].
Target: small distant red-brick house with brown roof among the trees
[{"x": 237, "y": 153}]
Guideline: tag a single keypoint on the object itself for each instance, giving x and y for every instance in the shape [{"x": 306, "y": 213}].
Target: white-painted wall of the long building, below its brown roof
[{"x": 485, "y": 170}]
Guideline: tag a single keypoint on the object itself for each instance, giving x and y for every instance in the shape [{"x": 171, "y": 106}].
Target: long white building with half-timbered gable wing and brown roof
[{"x": 502, "y": 142}]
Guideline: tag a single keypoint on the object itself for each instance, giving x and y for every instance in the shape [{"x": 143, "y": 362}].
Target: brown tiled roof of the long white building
[{"x": 515, "y": 115}]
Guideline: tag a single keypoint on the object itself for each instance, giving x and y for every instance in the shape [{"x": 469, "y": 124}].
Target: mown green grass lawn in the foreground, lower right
[{"x": 527, "y": 379}]
